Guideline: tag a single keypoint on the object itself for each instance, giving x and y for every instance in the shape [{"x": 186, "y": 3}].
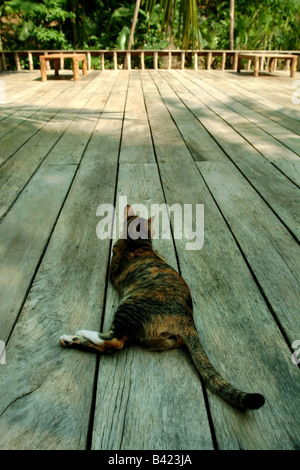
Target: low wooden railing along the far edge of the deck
[{"x": 115, "y": 59}]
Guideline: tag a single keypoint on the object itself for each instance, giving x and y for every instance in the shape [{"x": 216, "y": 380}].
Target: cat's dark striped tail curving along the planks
[{"x": 214, "y": 381}]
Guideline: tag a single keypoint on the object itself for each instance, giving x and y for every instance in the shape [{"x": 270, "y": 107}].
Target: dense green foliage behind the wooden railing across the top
[{"x": 105, "y": 24}]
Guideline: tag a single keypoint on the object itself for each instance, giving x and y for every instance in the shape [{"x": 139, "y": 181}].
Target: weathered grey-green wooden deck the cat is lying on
[{"x": 228, "y": 141}]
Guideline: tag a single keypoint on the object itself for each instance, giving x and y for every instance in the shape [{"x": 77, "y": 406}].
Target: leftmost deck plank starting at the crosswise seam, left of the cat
[{"x": 24, "y": 234}]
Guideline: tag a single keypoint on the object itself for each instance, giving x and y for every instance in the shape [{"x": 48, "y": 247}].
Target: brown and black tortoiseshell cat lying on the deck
[{"x": 156, "y": 310}]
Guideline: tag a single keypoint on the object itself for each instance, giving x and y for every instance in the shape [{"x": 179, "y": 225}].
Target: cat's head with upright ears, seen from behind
[{"x": 135, "y": 228}]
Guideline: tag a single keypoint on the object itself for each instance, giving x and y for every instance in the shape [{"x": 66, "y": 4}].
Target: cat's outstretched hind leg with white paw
[{"x": 102, "y": 342}]
